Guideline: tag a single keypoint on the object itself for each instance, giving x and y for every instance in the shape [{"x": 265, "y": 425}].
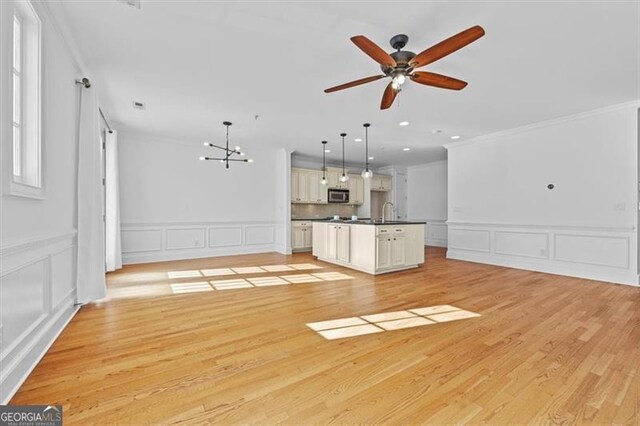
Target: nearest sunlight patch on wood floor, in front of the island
[{"x": 388, "y": 321}]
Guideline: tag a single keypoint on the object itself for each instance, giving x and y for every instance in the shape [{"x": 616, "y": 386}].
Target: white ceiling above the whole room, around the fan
[{"x": 196, "y": 64}]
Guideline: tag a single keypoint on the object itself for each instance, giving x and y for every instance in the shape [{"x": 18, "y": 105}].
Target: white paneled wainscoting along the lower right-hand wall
[{"x": 605, "y": 254}]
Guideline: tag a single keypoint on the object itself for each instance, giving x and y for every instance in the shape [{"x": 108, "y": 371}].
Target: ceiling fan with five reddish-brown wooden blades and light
[{"x": 401, "y": 64}]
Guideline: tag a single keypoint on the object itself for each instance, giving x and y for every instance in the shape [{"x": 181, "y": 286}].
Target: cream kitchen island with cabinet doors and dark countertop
[{"x": 371, "y": 247}]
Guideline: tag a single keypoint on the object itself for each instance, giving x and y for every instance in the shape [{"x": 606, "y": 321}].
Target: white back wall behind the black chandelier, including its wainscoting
[{"x": 174, "y": 206}]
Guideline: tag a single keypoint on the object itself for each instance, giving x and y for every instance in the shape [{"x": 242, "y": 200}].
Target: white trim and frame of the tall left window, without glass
[{"x": 17, "y": 188}]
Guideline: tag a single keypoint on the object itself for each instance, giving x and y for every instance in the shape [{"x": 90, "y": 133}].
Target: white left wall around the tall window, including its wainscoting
[{"x": 38, "y": 245}]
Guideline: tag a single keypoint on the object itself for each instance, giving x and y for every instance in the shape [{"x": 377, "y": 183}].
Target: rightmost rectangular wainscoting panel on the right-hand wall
[{"x": 593, "y": 250}]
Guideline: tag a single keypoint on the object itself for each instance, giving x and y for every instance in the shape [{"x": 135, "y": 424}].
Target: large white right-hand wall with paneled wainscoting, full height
[{"x": 500, "y": 210}]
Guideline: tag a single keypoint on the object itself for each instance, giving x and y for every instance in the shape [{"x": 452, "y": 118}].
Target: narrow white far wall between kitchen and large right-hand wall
[{"x": 427, "y": 199}]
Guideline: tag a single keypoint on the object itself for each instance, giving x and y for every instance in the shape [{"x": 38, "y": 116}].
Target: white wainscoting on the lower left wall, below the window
[{"x": 37, "y": 300}]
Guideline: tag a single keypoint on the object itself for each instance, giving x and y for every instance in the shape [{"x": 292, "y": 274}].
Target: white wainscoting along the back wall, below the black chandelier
[{"x": 144, "y": 242}]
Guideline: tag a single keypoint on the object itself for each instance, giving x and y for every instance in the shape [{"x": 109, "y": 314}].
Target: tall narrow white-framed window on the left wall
[{"x": 26, "y": 161}]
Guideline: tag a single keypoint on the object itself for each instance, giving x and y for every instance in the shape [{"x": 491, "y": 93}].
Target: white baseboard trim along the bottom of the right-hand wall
[{"x": 617, "y": 277}]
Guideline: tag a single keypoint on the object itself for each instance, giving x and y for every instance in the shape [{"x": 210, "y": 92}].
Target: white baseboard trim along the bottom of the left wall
[{"x": 19, "y": 370}]
